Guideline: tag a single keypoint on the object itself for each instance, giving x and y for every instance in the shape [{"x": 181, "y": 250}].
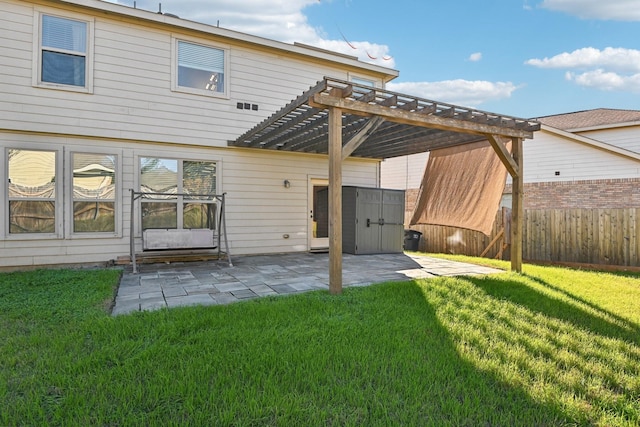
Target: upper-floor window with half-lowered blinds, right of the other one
[{"x": 200, "y": 69}]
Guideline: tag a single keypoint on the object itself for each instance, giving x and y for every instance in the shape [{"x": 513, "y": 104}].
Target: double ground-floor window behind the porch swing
[{"x": 179, "y": 193}]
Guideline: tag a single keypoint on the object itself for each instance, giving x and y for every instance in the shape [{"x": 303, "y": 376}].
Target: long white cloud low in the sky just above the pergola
[{"x": 461, "y": 92}]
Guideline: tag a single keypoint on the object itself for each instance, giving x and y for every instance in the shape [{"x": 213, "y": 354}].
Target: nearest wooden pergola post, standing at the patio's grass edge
[{"x": 335, "y": 200}]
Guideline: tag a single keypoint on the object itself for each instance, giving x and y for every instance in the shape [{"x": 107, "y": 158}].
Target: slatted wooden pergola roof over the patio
[{"x": 392, "y": 124}]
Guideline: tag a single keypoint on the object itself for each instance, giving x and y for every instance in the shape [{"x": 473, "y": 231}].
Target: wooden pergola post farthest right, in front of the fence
[{"x": 517, "y": 207}]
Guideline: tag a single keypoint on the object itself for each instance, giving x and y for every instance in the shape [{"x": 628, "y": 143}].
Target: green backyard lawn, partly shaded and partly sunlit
[{"x": 549, "y": 347}]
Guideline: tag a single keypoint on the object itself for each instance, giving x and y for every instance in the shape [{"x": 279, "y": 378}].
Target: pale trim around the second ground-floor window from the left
[{"x": 68, "y": 202}]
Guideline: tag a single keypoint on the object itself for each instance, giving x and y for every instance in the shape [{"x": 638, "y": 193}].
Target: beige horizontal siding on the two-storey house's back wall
[{"x": 133, "y": 111}]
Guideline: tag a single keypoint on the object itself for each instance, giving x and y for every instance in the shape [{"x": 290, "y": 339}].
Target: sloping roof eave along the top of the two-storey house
[{"x": 170, "y": 20}]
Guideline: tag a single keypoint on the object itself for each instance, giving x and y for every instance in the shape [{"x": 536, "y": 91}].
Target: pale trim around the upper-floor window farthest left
[{"x": 37, "y": 51}]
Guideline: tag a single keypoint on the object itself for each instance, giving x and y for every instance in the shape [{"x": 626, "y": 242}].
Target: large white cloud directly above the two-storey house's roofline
[{"x": 281, "y": 20}]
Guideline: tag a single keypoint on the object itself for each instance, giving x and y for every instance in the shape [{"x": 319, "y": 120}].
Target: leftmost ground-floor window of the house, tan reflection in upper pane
[{"x": 32, "y": 191}]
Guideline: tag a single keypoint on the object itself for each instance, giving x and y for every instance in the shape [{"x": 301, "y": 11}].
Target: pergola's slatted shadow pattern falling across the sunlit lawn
[{"x": 577, "y": 362}]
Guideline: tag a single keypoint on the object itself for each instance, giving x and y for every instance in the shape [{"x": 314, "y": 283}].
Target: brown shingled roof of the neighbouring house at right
[{"x": 590, "y": 118}]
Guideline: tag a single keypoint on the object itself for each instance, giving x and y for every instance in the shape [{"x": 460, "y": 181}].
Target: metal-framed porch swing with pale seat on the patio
[{"x": 161, "y": 244}]
